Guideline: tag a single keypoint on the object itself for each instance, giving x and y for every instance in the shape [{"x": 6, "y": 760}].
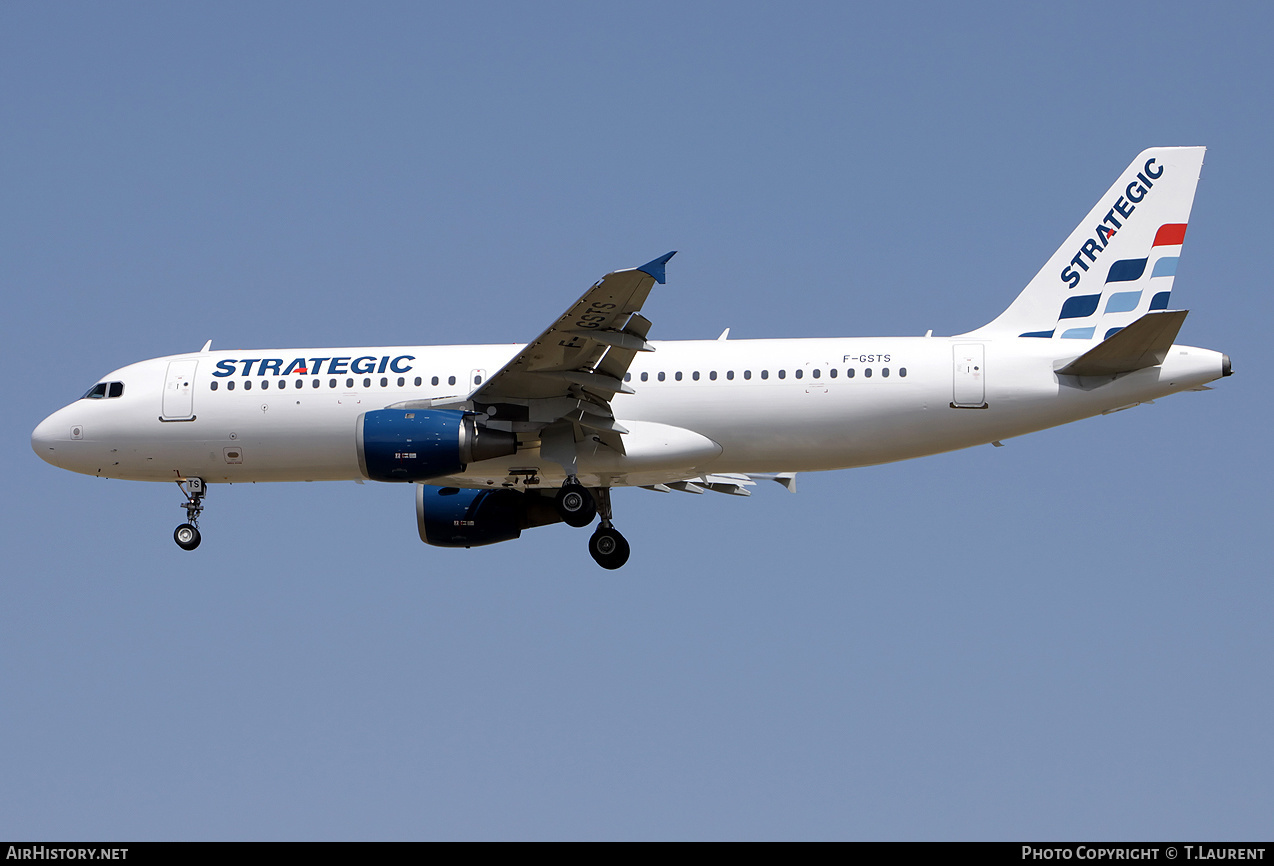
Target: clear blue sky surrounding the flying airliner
[{"x": 1067, "y": 639}]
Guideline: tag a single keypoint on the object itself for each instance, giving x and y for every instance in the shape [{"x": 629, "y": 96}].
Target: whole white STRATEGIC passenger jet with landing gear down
[{"x": 503, "y": 439}]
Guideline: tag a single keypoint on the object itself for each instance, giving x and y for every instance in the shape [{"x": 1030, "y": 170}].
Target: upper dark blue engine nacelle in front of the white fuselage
[{"x": 416, "y": 445}]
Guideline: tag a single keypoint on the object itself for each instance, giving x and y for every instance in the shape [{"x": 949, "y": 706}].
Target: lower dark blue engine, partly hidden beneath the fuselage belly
[{"x": 454, "y": 518}]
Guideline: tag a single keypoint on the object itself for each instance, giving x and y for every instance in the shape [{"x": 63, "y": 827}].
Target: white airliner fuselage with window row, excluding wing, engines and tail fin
[{"x": 700, "y": 407}]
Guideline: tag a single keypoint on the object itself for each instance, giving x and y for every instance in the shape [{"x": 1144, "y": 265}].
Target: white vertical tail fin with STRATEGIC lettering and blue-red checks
[{"x": 1119, "y": 263}]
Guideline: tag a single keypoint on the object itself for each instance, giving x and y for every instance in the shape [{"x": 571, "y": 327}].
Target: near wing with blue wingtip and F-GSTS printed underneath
[{"x": 574, "y": 369}]
